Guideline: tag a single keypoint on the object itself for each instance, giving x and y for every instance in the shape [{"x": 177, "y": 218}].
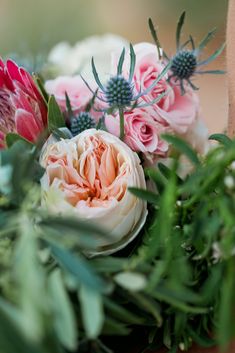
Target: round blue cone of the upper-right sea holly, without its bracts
[{"x": 184, "y": 64}]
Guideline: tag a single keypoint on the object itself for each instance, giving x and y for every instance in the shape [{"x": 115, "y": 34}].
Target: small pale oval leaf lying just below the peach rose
[{"x": 131, "y": 281}]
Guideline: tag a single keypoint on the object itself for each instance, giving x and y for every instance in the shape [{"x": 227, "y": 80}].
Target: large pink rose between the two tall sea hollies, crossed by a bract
[{"x": 178, "y": 111}]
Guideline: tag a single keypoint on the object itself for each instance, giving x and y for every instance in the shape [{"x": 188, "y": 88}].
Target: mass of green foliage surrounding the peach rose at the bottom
[{"x": 175, "y": 283}]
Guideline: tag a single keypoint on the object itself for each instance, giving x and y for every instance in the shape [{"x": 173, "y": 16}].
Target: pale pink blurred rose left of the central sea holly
[{"x": 76, "y": 89}]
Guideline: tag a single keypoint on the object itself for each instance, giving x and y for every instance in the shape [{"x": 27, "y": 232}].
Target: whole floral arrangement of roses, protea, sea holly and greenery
[{"x": 117, "y": 214}]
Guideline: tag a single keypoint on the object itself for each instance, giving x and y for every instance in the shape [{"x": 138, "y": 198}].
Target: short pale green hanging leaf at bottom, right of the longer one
[{"x": 92, "y": 311}]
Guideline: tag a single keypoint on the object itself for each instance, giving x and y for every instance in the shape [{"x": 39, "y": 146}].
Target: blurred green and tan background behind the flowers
[{"x": 30, "y": 26}]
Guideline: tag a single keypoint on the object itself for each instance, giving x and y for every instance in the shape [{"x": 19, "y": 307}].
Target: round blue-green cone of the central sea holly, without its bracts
[{"x": 118, "y": 92}]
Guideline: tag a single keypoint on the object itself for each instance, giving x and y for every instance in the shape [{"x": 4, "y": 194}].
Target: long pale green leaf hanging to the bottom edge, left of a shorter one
[{"x": 64, "y": 317}]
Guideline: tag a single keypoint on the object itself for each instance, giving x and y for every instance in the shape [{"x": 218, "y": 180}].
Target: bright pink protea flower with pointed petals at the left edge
[{"x": 22, "y": 108}]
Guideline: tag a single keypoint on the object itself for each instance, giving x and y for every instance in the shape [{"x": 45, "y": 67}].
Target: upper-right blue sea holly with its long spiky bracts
[{"x": 186, "y": 63}]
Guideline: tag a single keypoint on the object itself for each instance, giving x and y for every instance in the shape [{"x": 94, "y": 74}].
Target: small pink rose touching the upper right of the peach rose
[{"x": 142, "y": 131}]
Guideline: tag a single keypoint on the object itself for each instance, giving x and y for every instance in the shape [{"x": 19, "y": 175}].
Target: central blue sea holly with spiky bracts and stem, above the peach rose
[{"x": 118, "y": 93}]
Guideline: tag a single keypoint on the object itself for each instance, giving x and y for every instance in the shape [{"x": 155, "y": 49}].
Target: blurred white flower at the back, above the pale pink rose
[{"x": 69, "y": 60}]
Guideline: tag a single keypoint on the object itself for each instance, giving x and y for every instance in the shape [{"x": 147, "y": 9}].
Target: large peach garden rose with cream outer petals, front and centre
[{"x": 91, "y": 174}]
